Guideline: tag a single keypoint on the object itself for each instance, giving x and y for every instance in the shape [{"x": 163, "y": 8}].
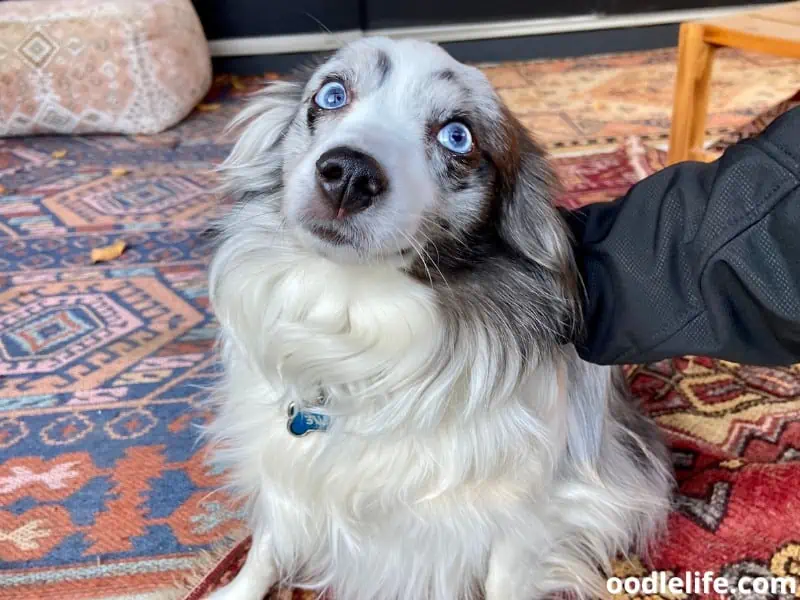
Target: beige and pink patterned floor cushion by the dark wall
[{"x": 99, "y": 66}]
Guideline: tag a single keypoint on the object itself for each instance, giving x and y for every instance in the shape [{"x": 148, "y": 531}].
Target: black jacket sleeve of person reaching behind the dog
[{"x": 699, "y": 259}]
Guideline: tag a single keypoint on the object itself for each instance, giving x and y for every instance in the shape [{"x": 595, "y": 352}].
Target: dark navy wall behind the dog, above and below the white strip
[{"x": 244, "y": 18}]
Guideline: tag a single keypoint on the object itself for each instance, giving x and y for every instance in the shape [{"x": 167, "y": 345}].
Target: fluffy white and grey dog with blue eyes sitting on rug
[{"x": 403, "y": 410}]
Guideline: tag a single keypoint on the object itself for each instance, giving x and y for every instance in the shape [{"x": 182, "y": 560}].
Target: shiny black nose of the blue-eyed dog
[{"x": 351, "y": 180}]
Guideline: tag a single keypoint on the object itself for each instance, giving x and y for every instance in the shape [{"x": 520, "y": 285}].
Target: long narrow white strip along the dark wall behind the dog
[{"x": 317, "y": 42}]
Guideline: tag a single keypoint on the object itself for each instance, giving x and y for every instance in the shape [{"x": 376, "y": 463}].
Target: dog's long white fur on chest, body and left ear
[{"x": 446, "y": 474}]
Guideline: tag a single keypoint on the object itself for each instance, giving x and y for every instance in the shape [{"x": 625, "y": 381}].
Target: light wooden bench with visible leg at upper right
[{"x": 774, "y": 30}]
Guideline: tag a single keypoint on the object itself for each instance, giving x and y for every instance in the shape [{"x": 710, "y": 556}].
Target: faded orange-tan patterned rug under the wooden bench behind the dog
[{"x": 591, "y": 100}]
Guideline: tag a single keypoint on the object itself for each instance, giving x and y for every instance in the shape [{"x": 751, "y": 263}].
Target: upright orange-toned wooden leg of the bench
[{"x": 695, "y": 57}]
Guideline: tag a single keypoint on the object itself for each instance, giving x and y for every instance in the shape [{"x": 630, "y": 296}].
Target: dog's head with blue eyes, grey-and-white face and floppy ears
[{"x": 393, "y": 152}]
